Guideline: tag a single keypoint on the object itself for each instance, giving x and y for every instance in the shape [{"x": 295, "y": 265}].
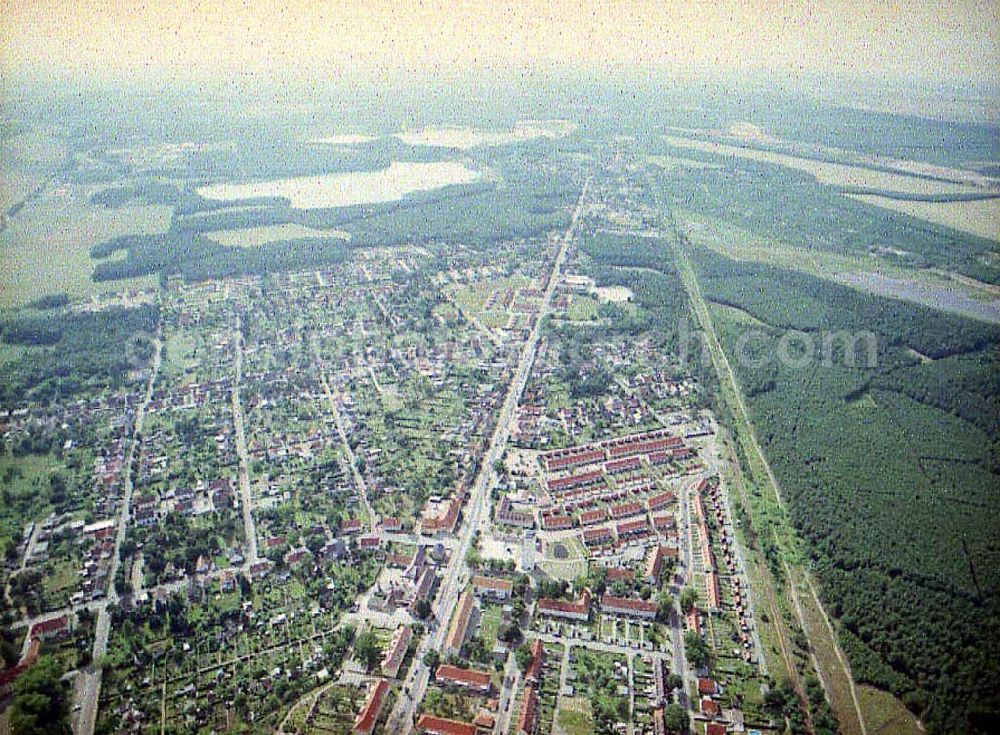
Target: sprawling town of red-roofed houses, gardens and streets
[{"x": 383, "y": 497}]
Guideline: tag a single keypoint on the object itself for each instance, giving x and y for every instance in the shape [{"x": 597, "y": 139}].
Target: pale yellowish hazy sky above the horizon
[{"x": 946, "y": 40}]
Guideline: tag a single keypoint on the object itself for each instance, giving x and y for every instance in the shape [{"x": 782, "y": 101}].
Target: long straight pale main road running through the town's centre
[{"x": 456, "y": 574}]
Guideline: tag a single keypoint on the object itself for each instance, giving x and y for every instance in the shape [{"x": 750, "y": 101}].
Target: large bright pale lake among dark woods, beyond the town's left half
[{"x": 348, "y": 189}]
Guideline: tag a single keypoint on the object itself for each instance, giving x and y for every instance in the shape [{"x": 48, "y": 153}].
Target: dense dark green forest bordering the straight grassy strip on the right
[{"x": 890, "y": 472}]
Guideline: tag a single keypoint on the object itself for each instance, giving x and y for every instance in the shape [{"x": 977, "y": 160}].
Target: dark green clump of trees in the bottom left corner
[{"x": 40, "y": 701}]
